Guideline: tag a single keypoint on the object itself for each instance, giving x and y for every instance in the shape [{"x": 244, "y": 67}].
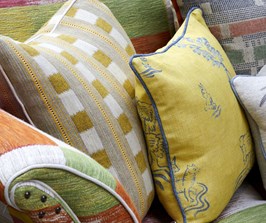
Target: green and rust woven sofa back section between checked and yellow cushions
[{"x": 149, "y": 24}]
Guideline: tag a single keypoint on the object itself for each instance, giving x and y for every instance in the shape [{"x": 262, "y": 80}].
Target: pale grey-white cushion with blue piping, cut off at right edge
[{"x": 251, "y": 92}]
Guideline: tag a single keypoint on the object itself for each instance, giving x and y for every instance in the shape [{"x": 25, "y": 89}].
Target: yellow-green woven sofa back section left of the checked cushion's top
[{"x": 20, "y": 19}]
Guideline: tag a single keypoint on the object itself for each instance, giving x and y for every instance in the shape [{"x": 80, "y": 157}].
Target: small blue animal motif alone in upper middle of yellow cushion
[{"x": 210, "y": 105}]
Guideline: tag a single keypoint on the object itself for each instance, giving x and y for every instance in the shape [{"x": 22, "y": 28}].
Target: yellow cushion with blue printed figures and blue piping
[{"x": 197, "y": 134}]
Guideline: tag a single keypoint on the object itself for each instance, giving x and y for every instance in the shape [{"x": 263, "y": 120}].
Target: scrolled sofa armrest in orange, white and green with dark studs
[{"x": 46, "y": 180}]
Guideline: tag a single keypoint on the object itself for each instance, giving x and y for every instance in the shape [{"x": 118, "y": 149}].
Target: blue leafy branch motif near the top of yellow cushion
[{"x": 202, "y": 47}]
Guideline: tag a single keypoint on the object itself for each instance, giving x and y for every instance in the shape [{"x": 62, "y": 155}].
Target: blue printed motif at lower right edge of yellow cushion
[{"x": 247, "y": 156}]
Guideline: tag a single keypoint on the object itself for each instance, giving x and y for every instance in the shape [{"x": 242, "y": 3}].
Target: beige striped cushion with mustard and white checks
[{"x": 75, "y": 83}]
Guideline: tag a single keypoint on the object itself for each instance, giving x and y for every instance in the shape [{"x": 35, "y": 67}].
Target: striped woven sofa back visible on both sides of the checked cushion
[{"x": 148, "y": 23}]
